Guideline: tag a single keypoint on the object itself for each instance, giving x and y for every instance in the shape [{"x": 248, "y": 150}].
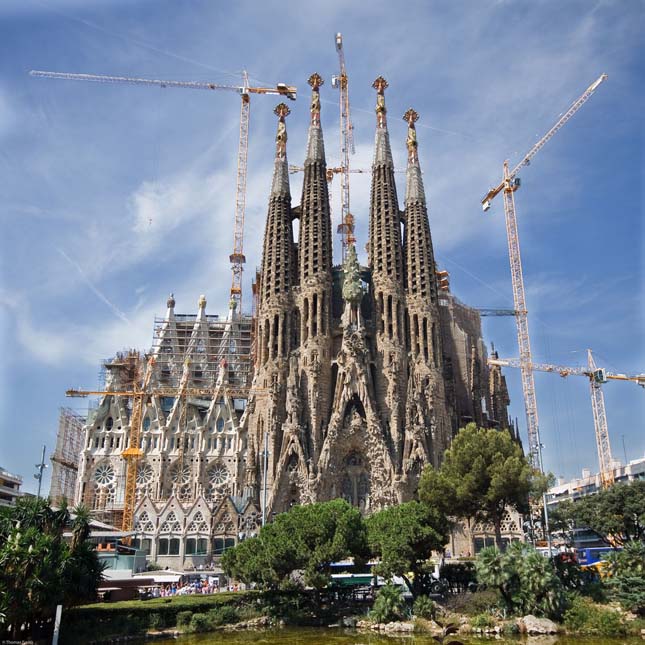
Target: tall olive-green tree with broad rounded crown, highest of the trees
[{"x": 484, "y": 472}]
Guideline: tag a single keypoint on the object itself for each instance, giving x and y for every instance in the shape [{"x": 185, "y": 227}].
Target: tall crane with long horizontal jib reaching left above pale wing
[{"x": 237, "y": 258}]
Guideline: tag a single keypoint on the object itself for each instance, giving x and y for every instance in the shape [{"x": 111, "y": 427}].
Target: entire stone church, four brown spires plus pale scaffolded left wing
[{"x": 362, "y": 374}]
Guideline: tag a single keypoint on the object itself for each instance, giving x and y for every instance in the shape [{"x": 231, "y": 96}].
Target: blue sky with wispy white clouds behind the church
[{"x": 112, "y": 196}]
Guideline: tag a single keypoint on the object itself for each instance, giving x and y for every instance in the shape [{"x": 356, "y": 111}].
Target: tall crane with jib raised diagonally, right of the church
[{"x": 509, "y": 184}]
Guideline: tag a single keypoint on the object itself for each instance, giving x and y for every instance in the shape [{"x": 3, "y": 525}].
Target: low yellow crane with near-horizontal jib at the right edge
[{"x": 597, "y": 376}]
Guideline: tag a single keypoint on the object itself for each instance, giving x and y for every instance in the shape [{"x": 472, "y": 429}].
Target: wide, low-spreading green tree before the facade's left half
[{"x": 307, "y": 538}]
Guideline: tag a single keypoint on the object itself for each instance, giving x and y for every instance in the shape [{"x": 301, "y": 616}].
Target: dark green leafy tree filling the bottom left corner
[{"x": 38, "y": 568}]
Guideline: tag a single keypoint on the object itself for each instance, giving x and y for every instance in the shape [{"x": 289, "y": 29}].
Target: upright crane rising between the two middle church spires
[{"x": 341, "y": 82}]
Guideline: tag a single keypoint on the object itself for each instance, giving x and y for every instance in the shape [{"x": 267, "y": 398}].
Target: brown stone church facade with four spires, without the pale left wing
[{"x": 364, "y": 374}]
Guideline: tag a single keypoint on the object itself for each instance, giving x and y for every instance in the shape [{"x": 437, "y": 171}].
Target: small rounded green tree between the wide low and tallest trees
[{"x": 402, "y": 537}]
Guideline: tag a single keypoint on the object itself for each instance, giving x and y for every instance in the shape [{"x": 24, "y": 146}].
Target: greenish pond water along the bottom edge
[{"x": 333, "y": 636}]
